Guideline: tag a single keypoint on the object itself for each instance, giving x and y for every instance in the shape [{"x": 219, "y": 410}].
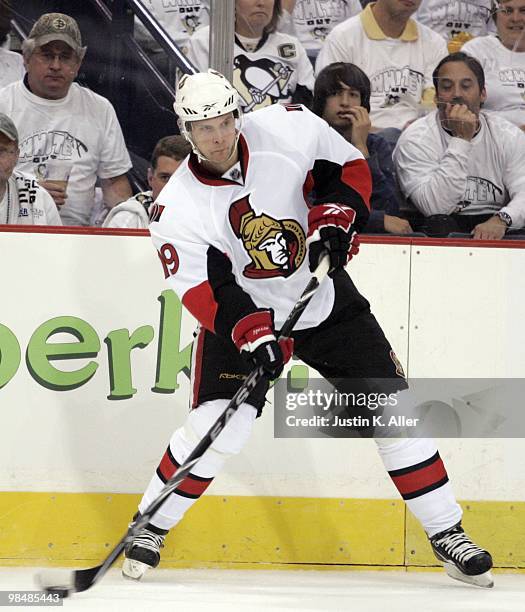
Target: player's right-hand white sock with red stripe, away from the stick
[{"x": 420, "y": 477}]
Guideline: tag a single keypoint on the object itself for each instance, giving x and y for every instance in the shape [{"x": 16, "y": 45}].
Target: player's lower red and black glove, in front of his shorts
[{"x": 254, "y": 336}]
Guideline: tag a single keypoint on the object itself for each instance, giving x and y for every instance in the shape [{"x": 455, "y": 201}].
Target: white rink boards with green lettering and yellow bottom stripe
[{"x": 288, "y": 502}]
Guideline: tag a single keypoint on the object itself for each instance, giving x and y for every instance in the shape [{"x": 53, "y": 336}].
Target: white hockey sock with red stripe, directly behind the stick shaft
[{"x": 230, "y": 442}]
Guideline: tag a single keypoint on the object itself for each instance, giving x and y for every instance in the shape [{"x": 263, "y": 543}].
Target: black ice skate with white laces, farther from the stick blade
[{"x": 461, "y": 558}]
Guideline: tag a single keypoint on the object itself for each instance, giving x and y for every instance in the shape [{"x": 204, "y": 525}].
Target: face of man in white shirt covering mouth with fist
[{"x": 457, "y": 84}]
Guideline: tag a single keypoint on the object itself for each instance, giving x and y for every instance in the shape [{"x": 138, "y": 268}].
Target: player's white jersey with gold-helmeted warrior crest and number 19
[{"x": 232, "y": 244}]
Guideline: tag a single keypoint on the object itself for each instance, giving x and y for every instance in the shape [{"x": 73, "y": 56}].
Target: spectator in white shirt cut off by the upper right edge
[{"x": 503, "y": 60}]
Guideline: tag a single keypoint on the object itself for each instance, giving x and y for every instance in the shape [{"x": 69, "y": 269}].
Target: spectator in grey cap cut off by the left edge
[{"x": 22, "y": 200}]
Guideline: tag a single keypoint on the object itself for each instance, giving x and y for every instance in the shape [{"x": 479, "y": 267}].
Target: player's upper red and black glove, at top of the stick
[{"x": 331, "y": 230}]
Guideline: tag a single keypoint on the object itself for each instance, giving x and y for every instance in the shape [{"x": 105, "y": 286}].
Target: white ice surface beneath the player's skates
[{"x": 257, "y": 590}]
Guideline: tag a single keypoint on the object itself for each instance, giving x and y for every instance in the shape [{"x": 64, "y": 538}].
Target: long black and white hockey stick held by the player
[{"x": 81, "y": 580}]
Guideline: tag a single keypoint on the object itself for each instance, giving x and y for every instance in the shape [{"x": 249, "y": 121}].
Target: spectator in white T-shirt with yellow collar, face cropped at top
[{"x": 395, "y": 52}]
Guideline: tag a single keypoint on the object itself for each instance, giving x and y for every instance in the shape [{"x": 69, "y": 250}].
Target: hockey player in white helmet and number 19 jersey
[{"x": 238, "y": 255}]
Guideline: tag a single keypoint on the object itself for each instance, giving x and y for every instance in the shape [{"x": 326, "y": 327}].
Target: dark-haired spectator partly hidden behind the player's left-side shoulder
[{"x": 167, "y": 157}]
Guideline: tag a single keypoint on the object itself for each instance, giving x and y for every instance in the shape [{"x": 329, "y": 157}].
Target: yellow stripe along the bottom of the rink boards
[{"x": 78, "y": 529}]
